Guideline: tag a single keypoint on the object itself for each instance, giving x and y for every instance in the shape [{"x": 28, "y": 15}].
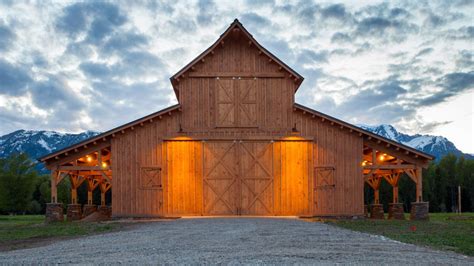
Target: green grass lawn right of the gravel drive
[{"x": 446, "y": 231}]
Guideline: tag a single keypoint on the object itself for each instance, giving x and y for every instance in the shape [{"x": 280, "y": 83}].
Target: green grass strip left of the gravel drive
[{"x": 23, "y": 230}]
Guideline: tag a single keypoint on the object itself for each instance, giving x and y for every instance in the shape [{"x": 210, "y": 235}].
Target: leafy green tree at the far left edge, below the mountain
[{"x": 17, "y": 183}]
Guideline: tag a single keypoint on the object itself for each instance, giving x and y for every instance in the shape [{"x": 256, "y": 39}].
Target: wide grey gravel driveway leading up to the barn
[{"x": 235, "y": 241}]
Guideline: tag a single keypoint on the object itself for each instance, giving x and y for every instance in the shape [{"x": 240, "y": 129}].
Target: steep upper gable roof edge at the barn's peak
[{"x": 236, "y": 24}]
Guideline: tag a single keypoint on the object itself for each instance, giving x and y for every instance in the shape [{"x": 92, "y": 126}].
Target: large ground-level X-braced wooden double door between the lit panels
[{"x": 238, "y": 178}]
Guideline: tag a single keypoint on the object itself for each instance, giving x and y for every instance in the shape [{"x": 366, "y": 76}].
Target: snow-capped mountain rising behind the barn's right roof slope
[{"x": 437, "y": 146}]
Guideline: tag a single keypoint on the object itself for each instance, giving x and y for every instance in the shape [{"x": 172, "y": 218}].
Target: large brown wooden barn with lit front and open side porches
[{"x": 236, "y": 144}]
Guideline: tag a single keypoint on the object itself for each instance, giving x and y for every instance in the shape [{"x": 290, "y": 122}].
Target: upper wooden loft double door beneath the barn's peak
[{"x": 236, "y": 102}]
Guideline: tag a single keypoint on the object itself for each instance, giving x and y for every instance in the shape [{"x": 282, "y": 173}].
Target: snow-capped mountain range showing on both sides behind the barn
[{"x": 39, "y": 143}]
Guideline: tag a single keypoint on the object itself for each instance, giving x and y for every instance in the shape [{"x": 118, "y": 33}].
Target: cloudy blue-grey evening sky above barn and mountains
[{"x": 75, "y": 66}]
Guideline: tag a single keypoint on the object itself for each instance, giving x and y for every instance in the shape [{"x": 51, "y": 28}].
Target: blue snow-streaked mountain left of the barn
[{"x": 38, "y": 143}]
